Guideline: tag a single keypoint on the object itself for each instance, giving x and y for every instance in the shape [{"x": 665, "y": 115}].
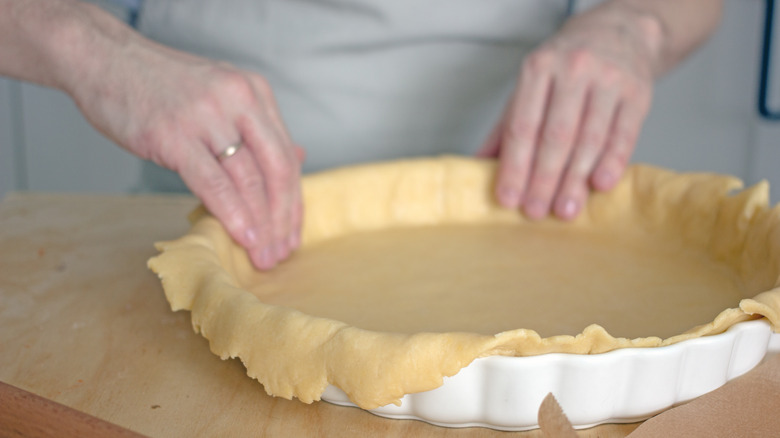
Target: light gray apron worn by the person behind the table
[{"x": 366, "y": 80}]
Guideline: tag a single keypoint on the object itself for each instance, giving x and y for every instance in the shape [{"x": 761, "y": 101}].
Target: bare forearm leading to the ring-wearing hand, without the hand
[{"x": 58, "y": 43}]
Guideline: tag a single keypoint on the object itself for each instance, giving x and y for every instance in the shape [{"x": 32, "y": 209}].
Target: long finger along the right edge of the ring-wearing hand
[{"x": 281, "y": 175}]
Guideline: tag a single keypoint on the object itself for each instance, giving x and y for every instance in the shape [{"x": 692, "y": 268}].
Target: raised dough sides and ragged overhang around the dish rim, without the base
[{"x": 298, "y": 355}]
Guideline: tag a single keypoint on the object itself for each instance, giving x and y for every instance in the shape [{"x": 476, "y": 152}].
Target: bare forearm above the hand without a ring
[{"x": 672, "y": 29}]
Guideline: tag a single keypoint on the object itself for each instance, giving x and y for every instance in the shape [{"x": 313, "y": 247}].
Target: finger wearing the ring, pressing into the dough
[{"x": 248, "y": 181}]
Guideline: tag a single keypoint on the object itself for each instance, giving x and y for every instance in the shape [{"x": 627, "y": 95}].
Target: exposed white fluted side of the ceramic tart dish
[{"x": 620, "y": 386}]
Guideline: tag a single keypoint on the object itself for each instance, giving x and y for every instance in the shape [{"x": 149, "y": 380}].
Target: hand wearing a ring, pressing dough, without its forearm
[{"x": 182, "y": 111}]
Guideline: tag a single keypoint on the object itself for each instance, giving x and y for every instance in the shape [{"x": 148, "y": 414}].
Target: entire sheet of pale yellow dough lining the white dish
[{"x": 409, "y": 271}]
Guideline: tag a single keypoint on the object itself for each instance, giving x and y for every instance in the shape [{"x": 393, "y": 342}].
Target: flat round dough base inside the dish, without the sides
[{"x": 492, "y": 278}]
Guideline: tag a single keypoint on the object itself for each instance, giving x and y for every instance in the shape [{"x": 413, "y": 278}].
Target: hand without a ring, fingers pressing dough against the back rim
[{"x": 574, "y": 118}]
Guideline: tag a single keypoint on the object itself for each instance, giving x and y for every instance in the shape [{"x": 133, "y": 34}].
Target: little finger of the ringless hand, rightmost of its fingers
[{"x": 620, "y": 145}]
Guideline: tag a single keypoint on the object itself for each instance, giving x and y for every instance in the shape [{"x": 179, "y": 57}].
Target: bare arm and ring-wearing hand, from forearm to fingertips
[{"x": 176, "y": 109}]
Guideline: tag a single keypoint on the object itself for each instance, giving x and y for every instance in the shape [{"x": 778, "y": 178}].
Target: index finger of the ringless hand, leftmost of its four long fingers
[{"x": 519, "y": 136}]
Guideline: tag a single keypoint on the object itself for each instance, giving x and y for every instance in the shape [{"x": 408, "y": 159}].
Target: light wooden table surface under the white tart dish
[{"x": 84, "y": 323}]
